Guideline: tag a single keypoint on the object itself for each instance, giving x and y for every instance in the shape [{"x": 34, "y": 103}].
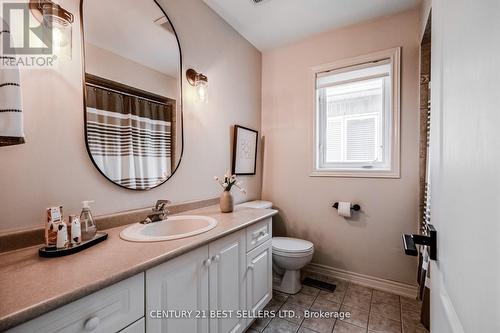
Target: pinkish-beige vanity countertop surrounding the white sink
[{"x": 31, "y": 286}]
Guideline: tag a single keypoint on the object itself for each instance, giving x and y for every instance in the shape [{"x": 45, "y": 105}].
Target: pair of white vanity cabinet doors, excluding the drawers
[{"x": 196, "y": 285}]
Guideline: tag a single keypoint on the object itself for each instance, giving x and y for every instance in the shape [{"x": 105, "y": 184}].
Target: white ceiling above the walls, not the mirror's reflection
[{"x": 274, "y": 23}]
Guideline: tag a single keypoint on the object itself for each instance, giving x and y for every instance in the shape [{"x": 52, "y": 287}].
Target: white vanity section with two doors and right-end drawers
[{"x": 222, "y": 276}]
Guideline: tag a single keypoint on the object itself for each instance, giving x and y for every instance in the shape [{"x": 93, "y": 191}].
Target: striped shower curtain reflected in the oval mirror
[{"x": 129, "y": 138}]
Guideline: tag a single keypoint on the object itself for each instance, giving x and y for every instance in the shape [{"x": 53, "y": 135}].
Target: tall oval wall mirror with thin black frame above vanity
[{"x": 132, "y": 91}]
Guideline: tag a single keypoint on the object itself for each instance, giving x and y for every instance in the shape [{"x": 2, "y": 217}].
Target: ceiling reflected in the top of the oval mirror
[{"x": 132, "y": 33}]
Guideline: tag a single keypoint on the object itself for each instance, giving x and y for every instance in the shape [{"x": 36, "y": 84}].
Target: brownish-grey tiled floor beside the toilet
[{"x": 371, "y": 311}]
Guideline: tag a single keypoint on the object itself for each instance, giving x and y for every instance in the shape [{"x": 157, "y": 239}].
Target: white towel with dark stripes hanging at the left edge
[{"x": 11, "y": 116}]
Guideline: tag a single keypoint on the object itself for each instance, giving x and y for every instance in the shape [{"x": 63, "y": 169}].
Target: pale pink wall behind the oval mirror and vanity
[{"x": 53, "y": 167}]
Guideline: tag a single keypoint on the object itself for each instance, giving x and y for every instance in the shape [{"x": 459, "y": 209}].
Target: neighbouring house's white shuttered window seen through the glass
[{"x": 361, "y": 139}]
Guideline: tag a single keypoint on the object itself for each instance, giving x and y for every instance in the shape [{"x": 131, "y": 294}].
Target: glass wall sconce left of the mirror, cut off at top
[{"x": 56, "y": 20}]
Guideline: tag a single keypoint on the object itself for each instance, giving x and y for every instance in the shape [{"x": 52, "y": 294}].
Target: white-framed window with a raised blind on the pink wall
[{"x": 357, "y": 117}]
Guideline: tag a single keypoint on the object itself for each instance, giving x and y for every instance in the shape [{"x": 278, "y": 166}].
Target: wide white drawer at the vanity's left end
[{"x": 107, "y": 310}]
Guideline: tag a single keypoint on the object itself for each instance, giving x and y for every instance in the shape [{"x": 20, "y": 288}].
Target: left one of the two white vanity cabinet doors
[{"x": 179, "y": 285}]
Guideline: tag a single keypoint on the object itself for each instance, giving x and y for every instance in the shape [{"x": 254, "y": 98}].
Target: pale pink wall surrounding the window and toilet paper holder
[{"x": 370, "y": 243}]
